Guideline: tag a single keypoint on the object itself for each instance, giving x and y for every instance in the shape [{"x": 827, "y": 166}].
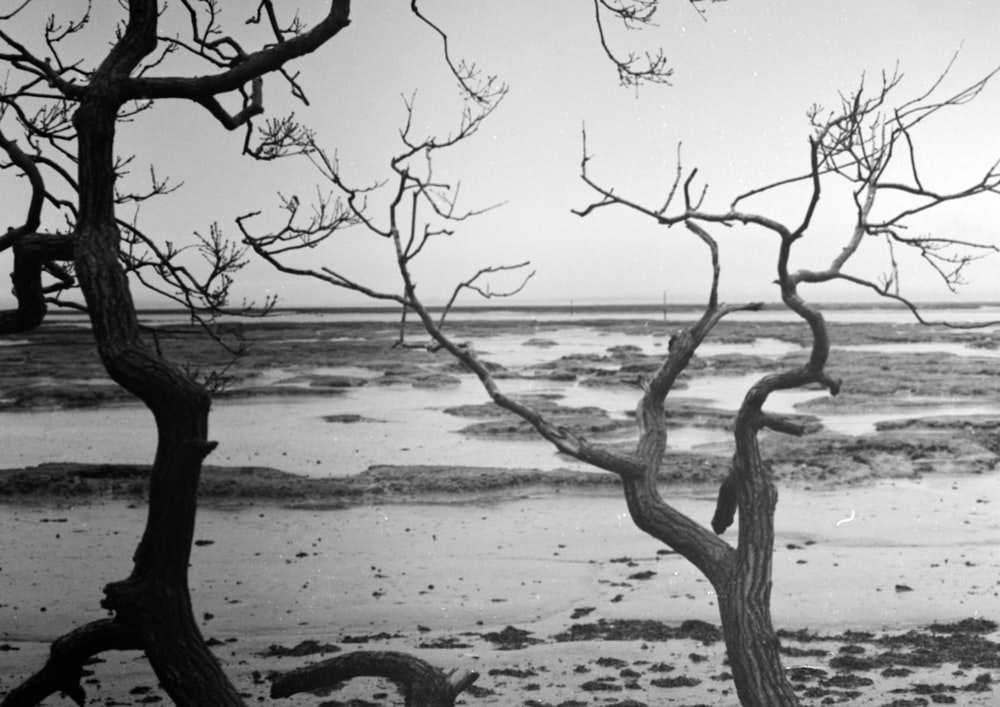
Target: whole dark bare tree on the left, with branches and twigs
[{"x": 73, "y": 112}]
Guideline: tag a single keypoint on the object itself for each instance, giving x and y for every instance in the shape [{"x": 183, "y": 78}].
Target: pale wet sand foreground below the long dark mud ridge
[{"x": 436, "y": 578}]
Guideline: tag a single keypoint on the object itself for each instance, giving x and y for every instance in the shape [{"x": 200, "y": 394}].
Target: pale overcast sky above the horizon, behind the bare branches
[{"x": 744, "y": 80}]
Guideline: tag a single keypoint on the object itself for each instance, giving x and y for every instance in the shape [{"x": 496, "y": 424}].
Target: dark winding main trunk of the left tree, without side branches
[{"x": 154, "y": 601}]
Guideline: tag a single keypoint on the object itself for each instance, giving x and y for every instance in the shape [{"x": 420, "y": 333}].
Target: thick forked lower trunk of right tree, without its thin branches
[{"x": 741, "y": 577}]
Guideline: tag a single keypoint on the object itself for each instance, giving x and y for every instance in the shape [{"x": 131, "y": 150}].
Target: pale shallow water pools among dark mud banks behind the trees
[{"x": 407, "y": 425}]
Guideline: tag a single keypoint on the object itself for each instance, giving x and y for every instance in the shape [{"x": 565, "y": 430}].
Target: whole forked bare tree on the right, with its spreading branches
[{"x": 859, "y": 142}]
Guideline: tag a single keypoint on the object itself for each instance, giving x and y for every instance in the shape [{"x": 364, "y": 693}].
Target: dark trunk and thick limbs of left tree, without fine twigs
[{"x": 152, "y": 607}]
